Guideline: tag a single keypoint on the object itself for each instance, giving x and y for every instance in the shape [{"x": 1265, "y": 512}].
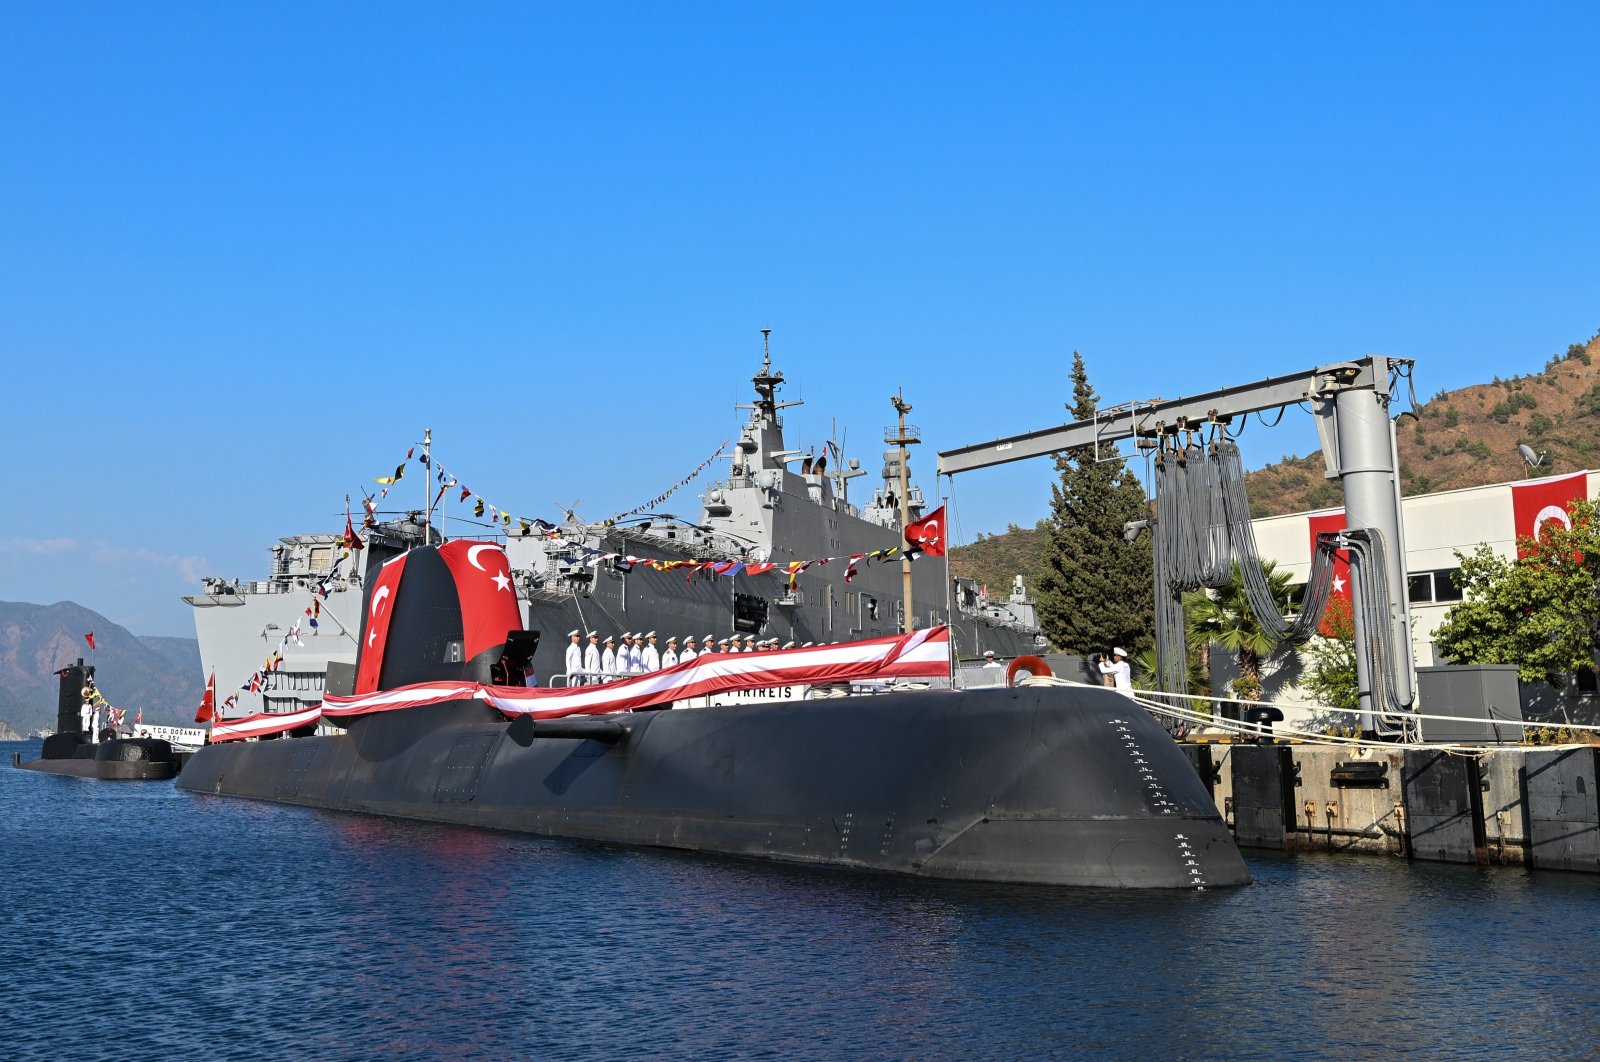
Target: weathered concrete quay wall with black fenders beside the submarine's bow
[{"x": 1500, "y": 805}]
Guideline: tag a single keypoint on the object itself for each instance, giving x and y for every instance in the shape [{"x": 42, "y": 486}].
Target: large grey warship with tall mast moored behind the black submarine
[{"x": 774, "y": 506}]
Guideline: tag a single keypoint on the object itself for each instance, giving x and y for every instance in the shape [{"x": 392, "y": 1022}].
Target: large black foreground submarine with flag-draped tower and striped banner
[{"x": 1041, "y": 785}]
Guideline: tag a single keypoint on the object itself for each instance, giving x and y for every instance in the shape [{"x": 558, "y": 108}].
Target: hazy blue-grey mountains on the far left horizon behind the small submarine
[{"x": 162, "y": 676}]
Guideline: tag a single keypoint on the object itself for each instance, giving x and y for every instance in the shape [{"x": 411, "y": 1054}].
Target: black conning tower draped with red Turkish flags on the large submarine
[{"x": 442, "y": 613}]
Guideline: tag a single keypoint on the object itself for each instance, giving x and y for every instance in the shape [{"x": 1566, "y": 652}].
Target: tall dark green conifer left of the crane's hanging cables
[{"x": 1097, "y": 591}]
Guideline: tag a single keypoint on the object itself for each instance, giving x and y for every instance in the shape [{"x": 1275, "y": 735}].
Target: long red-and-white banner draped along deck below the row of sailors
[{"x": 919, "y": 655}]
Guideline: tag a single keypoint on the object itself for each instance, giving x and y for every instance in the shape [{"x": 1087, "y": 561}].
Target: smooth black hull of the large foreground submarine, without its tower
[{"x": 1036, "y": 785}]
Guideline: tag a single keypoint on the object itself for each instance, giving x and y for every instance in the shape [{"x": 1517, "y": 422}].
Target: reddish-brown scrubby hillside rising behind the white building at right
[{"x": 1468, "y": 437}]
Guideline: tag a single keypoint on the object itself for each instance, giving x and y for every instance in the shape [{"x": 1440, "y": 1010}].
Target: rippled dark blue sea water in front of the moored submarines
[{"x": 148, "y": 924}]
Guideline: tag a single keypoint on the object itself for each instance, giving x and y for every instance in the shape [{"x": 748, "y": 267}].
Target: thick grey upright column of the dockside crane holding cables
[{"x": 1370, "y": 501}]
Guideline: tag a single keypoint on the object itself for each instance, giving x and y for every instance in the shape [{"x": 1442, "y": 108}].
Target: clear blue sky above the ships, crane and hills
[{"x": 247, "y": 254}]
